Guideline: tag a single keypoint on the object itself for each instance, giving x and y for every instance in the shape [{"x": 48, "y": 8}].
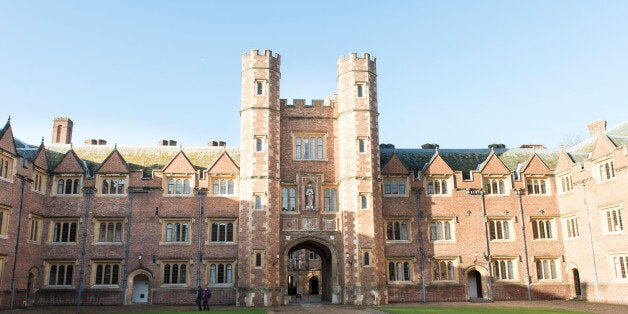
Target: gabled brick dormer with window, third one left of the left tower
[{"x": 112, "y": 176}]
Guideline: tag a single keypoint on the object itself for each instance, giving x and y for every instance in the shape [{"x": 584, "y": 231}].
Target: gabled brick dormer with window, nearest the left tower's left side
[{"x": 223, "y": 176}]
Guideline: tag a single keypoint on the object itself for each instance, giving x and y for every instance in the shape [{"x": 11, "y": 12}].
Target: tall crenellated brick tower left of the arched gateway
[{"x": 259, "y": 180}]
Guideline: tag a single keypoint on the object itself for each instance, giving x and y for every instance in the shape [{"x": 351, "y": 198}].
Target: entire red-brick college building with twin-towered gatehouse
[{"x": 310, "y": 203}]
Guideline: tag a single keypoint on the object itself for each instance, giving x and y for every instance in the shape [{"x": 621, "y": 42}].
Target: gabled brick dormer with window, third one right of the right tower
[{"x": 495, "y": 176}]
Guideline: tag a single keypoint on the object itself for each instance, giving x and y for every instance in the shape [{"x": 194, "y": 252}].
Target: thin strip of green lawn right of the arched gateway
[{"x": 478, "y": 310}]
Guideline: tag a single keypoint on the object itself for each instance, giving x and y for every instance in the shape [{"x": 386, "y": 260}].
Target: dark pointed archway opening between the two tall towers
[{"x": 317, "y": 267}]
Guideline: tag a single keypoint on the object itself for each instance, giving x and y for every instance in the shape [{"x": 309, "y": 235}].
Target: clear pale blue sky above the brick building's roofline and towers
[{"x": 462, "y": 74}]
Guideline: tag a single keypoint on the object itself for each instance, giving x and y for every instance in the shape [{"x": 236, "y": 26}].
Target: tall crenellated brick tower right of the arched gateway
[{"x": 359, "y": 177}]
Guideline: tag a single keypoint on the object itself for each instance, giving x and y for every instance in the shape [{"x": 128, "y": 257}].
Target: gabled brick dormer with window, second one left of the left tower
[{"x": 179, "y": 176}]
